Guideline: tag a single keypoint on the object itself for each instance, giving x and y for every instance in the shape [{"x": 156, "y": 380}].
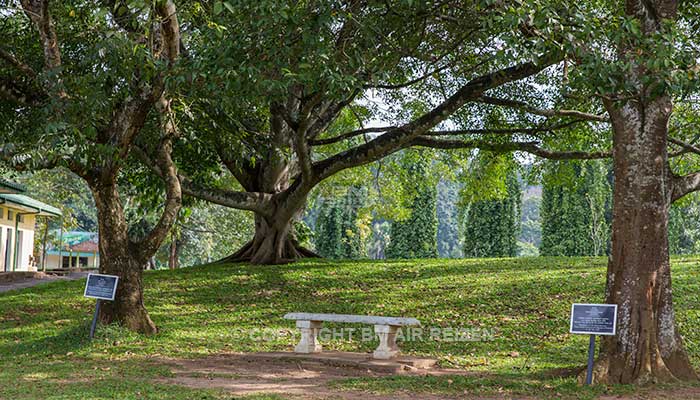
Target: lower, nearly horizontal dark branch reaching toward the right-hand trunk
[{"x": 528, "y": 147}]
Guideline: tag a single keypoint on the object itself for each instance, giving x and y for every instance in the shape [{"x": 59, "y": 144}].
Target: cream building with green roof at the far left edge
[{"x": 18, "y": 214}]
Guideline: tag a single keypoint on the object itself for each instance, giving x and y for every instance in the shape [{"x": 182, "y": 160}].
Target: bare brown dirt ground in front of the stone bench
[{"x": 241, "y": 375}]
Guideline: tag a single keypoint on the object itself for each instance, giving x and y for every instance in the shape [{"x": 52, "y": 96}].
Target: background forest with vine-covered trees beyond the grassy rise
[{"x": 561, "y": 210}]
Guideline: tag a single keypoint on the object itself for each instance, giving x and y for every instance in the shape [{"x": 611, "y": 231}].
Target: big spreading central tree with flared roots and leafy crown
[{"x": 270, "y": 95}]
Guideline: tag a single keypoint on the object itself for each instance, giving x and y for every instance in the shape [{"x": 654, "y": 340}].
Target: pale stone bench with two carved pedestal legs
[{"x": 385, "y": 327}]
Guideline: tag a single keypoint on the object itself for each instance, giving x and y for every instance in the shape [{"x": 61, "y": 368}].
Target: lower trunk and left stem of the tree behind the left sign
[{"x": 118, "y": 257}]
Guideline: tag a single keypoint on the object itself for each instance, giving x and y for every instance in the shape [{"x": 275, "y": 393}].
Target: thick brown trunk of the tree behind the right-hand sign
[{"x": 647, "y": 347}]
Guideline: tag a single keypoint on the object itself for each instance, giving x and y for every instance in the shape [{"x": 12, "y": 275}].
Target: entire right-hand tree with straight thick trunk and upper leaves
[{"x": 655, "y": 64}]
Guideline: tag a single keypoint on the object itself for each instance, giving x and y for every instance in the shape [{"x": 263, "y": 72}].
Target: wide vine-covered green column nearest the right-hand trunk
[{"x": 576, "y": 209}]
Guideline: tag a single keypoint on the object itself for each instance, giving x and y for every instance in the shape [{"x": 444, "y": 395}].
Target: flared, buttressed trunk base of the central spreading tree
[{"x": 273, "y": 243}]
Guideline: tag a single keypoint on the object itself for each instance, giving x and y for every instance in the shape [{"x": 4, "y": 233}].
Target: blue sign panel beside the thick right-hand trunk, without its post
[{"x": 593, "y": 319}]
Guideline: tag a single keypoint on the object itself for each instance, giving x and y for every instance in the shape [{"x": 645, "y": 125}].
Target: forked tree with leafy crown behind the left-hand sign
[{"x": 81, "y": 83}]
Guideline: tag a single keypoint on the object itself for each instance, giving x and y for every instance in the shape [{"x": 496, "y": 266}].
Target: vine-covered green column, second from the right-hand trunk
[{"x": 491, "y": 227}]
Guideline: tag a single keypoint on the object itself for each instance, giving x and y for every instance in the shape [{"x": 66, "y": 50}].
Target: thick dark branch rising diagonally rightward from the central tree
[{"x": 400, "y": 137}]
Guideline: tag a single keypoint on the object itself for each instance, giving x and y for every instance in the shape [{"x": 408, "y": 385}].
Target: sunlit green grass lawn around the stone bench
[{"x": 524, "y": 302}]
